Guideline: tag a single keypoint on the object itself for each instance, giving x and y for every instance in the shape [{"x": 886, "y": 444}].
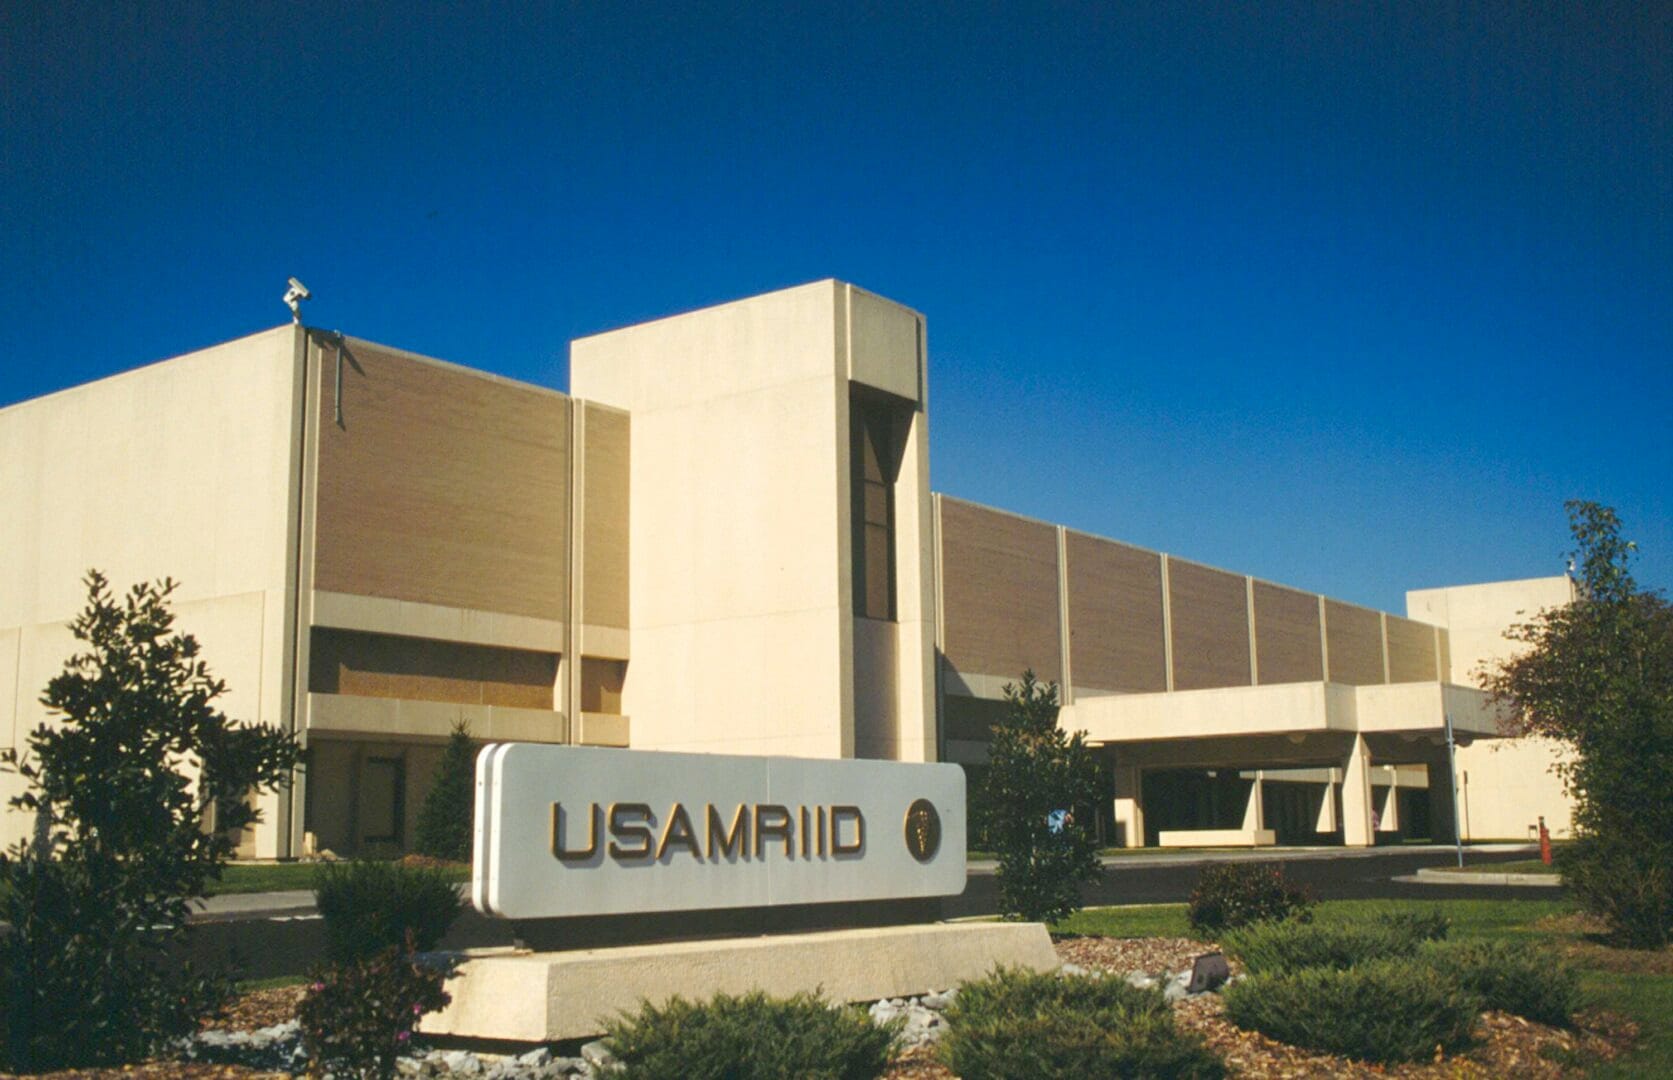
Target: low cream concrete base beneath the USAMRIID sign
[{"x": 550, "y": 997}]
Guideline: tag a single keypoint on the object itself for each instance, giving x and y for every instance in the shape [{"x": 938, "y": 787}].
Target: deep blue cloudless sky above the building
[{"x": 1346, "y": 297}]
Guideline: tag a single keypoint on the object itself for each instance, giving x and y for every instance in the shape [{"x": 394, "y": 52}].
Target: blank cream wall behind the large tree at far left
[{"x": 183, "y": 471}]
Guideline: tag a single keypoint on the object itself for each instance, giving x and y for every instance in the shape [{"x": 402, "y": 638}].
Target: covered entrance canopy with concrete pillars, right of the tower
[{"x": 1348, "y": 750}]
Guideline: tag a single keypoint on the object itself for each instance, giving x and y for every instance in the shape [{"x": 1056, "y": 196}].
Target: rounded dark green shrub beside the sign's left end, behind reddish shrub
[{"x": 371, "y": 907}]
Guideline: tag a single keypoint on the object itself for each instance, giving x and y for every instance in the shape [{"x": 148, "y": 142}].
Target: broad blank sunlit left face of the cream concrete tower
[{"x": 739, "y": 524}]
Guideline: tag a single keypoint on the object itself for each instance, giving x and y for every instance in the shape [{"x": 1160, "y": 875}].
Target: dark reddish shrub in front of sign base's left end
[{"x": 361, "y": 1016}]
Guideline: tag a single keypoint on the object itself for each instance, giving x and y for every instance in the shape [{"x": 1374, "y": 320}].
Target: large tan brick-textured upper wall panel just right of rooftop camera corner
[{"x": 441, "y": 486}]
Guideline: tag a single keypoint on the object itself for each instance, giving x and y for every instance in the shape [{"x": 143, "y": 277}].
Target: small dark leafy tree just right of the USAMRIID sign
[{"x": 1038, "y": 777}]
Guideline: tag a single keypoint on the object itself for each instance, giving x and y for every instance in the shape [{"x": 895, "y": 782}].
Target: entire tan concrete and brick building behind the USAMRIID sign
[{"x": 722, "y": 541}]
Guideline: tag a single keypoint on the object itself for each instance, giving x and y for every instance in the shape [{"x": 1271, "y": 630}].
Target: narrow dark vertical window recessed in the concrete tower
[{"x": 874, "y": 464}]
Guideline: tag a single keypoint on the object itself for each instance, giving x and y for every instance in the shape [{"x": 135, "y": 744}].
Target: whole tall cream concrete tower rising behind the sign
[{"x": 784, "y": 596}]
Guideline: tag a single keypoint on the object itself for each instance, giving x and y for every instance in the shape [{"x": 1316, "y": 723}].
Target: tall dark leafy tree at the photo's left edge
[{"x": 126, "y": 840}]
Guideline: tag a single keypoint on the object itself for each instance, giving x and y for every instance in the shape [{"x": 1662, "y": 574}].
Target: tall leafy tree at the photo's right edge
[{"x": 1599, "y": 676}]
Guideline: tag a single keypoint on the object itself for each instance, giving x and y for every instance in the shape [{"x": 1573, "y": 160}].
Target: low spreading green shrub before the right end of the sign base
[{"x": 1020, "y": 1026}]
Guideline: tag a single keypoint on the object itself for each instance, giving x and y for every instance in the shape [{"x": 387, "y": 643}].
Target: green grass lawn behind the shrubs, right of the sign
[{"x": 1634, "y": 984}]
